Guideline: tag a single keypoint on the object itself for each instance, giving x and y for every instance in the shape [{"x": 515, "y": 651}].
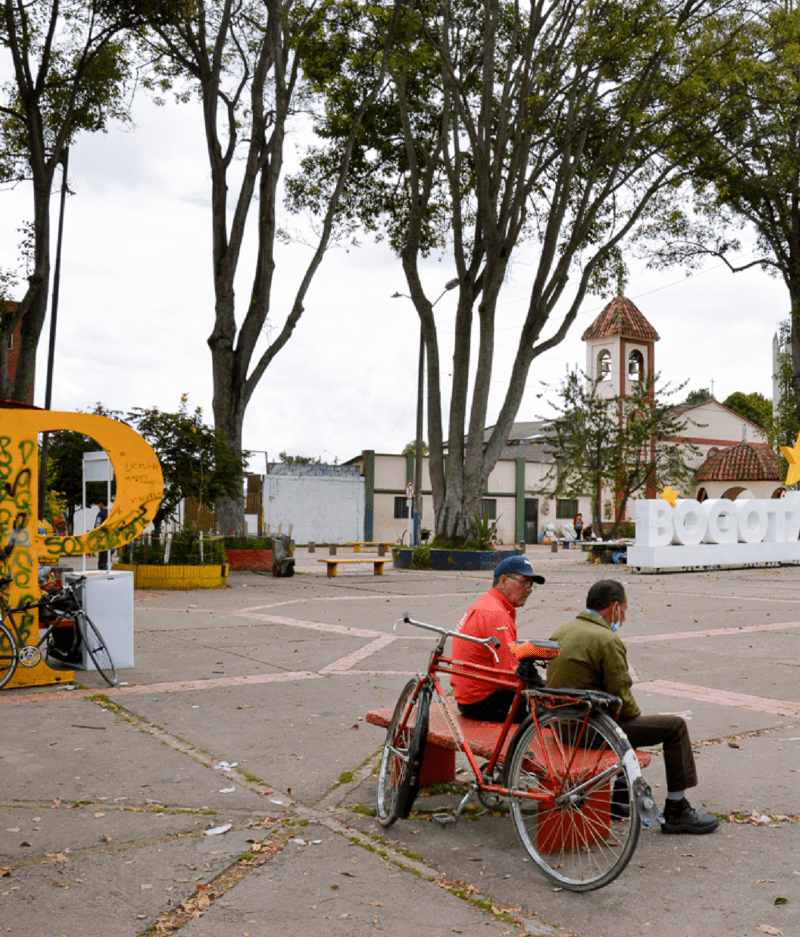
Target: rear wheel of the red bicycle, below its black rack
[{"x": 572, "y": 805}]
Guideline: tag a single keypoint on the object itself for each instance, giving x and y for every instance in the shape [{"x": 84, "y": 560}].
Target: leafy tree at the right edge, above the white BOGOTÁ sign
[{"x": 747, "y": 174}]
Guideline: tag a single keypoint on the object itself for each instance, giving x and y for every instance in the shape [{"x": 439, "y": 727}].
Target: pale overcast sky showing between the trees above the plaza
[{"x": 136, "y": 307}]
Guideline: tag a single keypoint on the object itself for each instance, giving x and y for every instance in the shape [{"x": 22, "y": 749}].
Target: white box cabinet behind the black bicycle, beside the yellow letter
[{"x": 107, "y": 598}]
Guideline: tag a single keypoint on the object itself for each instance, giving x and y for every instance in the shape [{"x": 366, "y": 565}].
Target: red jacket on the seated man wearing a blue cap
[{"x": 491, "y": 615}]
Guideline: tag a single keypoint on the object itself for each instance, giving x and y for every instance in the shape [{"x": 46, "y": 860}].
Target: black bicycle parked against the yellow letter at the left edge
[{"x": 55, "y": 608}]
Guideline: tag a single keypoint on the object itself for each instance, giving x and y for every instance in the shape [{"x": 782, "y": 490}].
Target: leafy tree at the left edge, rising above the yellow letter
[{"x": 70, "y": 67}]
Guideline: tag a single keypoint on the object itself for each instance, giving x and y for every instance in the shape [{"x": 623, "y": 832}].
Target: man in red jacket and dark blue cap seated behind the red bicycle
[{"x": 494, "y": 615}]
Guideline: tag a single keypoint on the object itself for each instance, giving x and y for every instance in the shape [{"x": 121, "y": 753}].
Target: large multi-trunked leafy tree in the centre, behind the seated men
[{"x": 559, "y": 125}]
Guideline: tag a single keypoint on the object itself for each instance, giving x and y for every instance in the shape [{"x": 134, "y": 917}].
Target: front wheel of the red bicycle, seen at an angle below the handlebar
[{"x": 401, "y": 760}]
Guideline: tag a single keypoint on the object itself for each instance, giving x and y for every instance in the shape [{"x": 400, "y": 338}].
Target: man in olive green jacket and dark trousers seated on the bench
[{"x": 594, "y": 658}]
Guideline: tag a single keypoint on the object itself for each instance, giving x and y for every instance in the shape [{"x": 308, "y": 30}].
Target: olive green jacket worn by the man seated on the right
[{"x": 592, "y": 658}]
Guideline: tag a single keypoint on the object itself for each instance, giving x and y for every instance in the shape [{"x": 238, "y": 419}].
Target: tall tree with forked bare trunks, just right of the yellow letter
[{"x": 246, "y": 59}]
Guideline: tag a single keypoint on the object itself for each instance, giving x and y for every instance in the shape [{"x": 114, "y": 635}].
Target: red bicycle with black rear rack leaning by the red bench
[{"x": 571, "y": 779}]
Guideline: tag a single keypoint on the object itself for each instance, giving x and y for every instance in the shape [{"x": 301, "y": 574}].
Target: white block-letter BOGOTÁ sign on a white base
[{"x": 716, "y": 532}]
